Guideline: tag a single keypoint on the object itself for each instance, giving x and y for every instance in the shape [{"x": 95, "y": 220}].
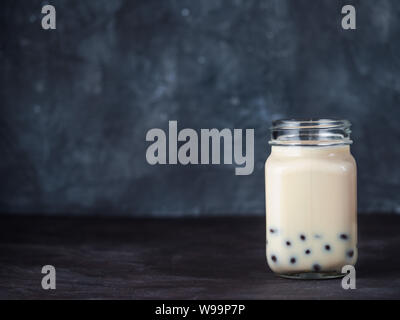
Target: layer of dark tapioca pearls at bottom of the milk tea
[{"x": 309, "y": 252}]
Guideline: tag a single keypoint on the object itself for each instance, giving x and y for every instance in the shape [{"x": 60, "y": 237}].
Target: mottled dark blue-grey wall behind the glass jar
[{"x": 76, "y": 103}]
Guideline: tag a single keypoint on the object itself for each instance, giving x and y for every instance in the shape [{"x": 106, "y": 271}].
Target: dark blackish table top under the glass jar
[{"x": 204, "y": 258}]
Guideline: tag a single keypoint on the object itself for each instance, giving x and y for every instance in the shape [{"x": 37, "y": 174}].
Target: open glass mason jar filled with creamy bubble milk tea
[{"x": 311, "y": 199}]
